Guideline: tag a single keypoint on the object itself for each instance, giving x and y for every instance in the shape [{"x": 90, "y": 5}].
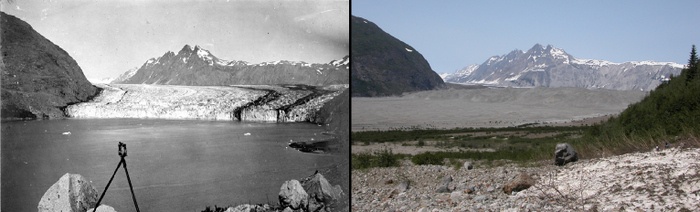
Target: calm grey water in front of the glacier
[{"x": 174, "y": 165}]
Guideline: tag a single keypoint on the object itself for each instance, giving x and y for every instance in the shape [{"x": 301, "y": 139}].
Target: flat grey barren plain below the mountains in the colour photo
[{"x": 489, "y": 107}]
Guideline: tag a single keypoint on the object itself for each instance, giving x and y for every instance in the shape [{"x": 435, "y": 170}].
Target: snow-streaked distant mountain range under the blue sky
[{"x": 552, "y": 67}]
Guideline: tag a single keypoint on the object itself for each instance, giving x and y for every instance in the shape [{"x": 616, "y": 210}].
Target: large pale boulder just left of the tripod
[{"x": 72, "y": 193}]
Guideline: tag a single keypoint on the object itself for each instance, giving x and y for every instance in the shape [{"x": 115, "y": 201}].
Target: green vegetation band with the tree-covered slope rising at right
[{"x": 669, "y": 114}]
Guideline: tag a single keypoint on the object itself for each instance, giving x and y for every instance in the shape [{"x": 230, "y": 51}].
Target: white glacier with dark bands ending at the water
[{"x": 198, "y": 102}]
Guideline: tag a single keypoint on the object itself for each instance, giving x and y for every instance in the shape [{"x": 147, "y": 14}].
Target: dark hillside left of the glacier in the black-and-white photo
[{"x": 39, "y": 79}]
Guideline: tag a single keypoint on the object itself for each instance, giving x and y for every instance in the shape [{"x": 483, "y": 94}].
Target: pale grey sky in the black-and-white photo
[{"x": 108, "y": 37}]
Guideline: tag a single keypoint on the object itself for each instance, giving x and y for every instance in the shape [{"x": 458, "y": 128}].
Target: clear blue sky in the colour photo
[{"x": 454, "y": 34}]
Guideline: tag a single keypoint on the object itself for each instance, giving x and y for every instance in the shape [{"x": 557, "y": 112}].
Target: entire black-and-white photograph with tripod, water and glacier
[{"x": 184, "y": 105}]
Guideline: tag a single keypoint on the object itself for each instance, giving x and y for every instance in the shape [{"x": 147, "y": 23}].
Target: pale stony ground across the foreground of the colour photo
[{"x": 656, "y": 180}]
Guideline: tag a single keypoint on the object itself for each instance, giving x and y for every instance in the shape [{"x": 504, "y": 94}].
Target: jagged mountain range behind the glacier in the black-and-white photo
[{"x": 197, "y": 66}]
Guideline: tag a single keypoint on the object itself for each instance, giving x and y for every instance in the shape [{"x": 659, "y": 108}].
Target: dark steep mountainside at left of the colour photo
[{"x": 383, "y": 65}]
